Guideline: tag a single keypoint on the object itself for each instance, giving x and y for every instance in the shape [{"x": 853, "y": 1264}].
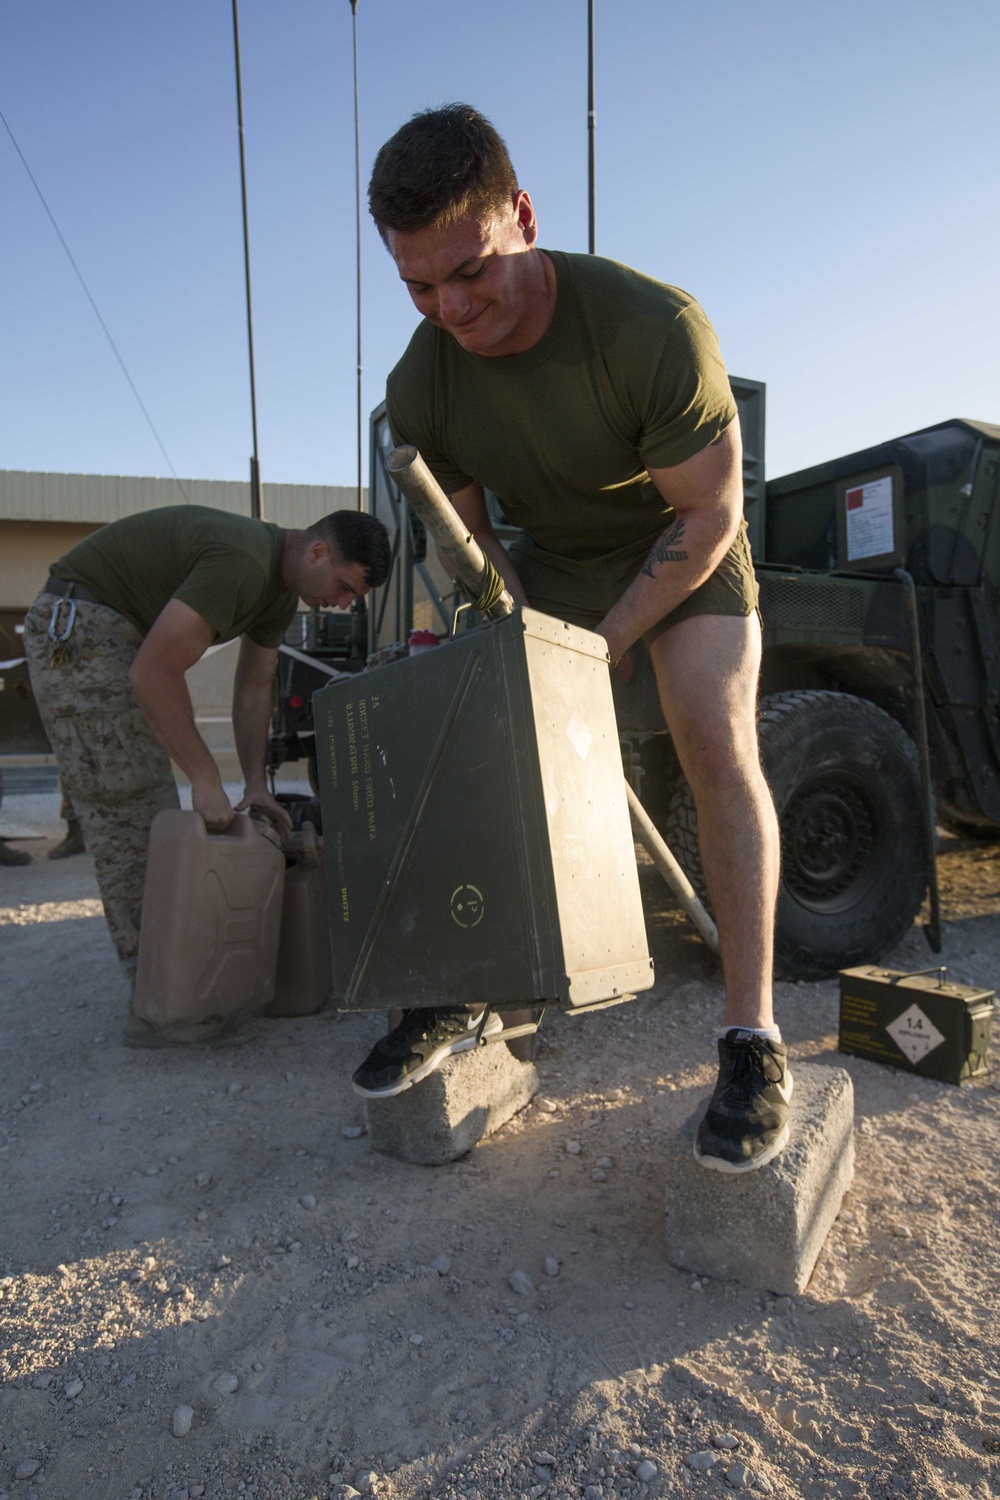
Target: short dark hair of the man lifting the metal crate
[{"x": 439, "y": 167}]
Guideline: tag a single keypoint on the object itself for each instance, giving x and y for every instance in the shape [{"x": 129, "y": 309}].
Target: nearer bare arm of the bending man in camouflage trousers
[{"x": 178, "y": 640}]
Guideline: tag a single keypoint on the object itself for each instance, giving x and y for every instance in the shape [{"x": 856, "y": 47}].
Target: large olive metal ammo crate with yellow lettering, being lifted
[{"x": 478, "y": 833}]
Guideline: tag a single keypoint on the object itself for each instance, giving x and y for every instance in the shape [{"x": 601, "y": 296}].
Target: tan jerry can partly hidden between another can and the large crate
[{"x": 305, "y": 965}]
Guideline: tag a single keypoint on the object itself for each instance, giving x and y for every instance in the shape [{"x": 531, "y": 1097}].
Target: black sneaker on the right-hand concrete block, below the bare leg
[{"x": 747, "y": 1120}]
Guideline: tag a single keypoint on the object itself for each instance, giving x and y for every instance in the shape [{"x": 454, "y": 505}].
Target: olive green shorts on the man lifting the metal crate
[{"x": 584, "y": 592}]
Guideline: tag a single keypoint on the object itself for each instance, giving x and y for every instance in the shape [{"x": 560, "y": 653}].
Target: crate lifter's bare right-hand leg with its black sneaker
[{"x": 707, "y": 673}]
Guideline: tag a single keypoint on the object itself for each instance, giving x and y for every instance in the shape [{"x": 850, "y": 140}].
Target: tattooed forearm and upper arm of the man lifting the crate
[{"x": 707, "y": 494}]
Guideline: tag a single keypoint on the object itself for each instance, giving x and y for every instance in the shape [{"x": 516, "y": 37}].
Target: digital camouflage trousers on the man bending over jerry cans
[{"x": 113, "y": 769}]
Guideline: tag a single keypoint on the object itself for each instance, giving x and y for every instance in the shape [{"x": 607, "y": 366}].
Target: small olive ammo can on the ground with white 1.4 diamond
[{"x": 918, "y": 1022}]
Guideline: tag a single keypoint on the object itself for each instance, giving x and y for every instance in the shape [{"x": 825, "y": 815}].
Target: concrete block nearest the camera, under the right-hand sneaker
[{"x": 767, "y": 1228}]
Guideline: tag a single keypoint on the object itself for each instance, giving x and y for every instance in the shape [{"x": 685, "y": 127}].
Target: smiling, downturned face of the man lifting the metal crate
[{"x": 473, "y": 278}]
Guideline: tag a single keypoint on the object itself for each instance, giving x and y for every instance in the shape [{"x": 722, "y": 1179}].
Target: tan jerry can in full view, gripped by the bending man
[{"x": 212, "y": 914}]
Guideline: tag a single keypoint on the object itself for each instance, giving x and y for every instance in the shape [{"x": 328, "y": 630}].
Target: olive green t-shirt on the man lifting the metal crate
[{"x": 627, "y": 377}]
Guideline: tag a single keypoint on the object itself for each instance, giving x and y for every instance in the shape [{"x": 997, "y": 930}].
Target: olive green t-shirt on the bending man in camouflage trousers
[{"x": 229, "y": 569}]
